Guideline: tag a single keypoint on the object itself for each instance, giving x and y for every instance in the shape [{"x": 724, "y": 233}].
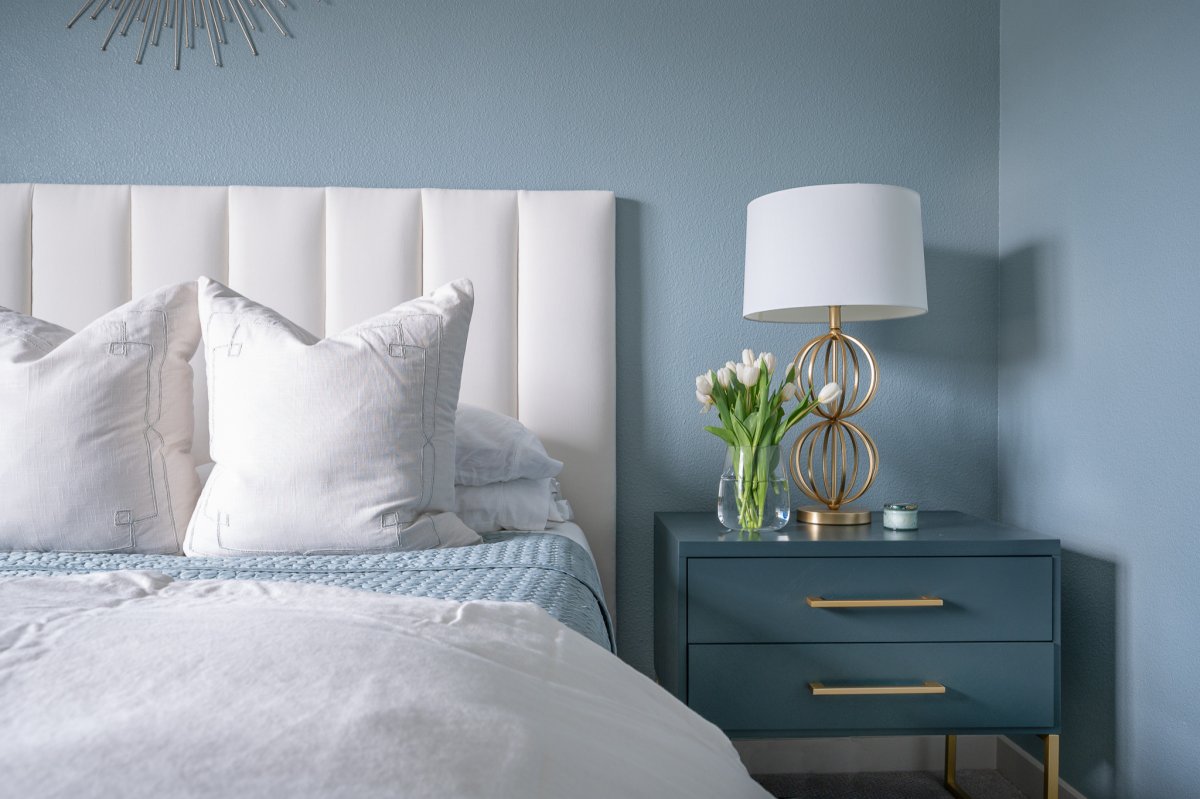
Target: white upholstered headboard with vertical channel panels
[{"x": 542, "y": 347}]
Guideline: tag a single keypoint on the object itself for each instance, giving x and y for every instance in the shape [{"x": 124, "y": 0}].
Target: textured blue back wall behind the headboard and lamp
[{"x": 688, "y": 110}]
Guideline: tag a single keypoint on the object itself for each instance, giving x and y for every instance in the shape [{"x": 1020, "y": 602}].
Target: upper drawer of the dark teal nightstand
[{"x": 766, "y": 600}]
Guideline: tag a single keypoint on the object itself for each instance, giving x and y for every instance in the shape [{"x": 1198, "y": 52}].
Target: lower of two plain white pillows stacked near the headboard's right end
[{"x": 513, "y": 506}]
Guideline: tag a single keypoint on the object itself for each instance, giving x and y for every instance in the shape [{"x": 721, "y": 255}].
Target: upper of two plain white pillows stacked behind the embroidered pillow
[{"x": 494, "y": 448}]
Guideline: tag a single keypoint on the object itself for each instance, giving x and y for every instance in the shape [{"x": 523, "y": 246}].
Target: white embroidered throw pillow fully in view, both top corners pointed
[{"x": 335, "y": 446}]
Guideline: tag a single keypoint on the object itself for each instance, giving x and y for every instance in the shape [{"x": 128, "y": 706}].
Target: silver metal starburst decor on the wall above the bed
[{"x": 187, "y": 22}]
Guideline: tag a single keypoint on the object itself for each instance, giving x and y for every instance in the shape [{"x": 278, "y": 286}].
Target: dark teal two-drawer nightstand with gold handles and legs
[{"x": 824, "y": 632}]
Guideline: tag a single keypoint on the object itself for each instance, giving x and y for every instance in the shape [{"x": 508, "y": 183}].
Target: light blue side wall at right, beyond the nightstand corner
[{"x": 1100, "y": 201}]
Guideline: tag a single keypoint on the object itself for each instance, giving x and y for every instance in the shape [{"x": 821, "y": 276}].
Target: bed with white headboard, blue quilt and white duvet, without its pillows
[{"x": 482, "y": 670}]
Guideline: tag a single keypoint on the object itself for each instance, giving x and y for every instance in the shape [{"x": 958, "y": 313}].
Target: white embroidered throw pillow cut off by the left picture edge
[{"x": 97, "y": 429}]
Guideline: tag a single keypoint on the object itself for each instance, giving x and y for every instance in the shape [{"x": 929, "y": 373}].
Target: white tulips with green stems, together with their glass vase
[{"x": 754, "y": 420}]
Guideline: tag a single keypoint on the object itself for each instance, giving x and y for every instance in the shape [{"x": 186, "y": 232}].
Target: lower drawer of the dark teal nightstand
[{"x": 766, "y": 689}]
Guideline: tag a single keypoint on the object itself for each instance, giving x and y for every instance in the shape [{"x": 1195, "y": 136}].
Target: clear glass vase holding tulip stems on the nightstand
[{"x": 754, "y": 495}]
